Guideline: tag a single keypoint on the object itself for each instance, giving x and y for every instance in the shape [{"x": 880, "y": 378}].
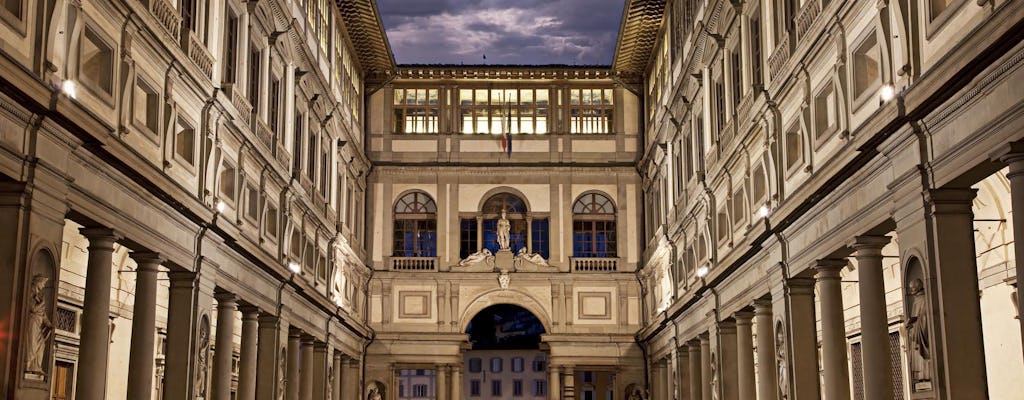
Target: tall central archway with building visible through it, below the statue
[{"x": 505, "y": 361}]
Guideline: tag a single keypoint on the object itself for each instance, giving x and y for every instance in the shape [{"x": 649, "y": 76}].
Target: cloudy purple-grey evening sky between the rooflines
[{"x": 513, "y": 32}]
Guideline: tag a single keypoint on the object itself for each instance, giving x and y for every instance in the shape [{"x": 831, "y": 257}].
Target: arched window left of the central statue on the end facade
[{"x": 416, "y": 227}]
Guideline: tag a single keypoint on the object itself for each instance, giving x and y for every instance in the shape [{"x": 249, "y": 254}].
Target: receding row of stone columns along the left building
[{"x": 309, "y": 369}]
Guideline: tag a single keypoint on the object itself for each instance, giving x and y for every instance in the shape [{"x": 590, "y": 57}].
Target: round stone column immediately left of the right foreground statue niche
[{"x": 874, "y": 322}]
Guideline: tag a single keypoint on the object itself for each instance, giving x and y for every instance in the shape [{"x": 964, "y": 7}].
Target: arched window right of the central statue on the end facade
[{"x": 593, "y": 227}]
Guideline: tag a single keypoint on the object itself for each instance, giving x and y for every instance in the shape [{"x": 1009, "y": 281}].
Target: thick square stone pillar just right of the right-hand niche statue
[{"x": 955, "y": 291}]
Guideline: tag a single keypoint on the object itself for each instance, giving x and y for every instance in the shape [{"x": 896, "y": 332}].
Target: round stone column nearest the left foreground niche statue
[{"x": 96, "y": 338}]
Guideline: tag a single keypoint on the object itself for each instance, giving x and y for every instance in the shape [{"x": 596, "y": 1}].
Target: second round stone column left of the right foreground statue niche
[{"x": 834, "y": 364}]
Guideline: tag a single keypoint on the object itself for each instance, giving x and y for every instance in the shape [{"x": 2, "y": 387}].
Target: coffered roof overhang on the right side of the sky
[{"x": 637, "y": 37}]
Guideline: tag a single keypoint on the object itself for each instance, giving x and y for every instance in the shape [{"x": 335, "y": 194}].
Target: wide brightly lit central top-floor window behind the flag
[{"x": 497, "y": 111}]
